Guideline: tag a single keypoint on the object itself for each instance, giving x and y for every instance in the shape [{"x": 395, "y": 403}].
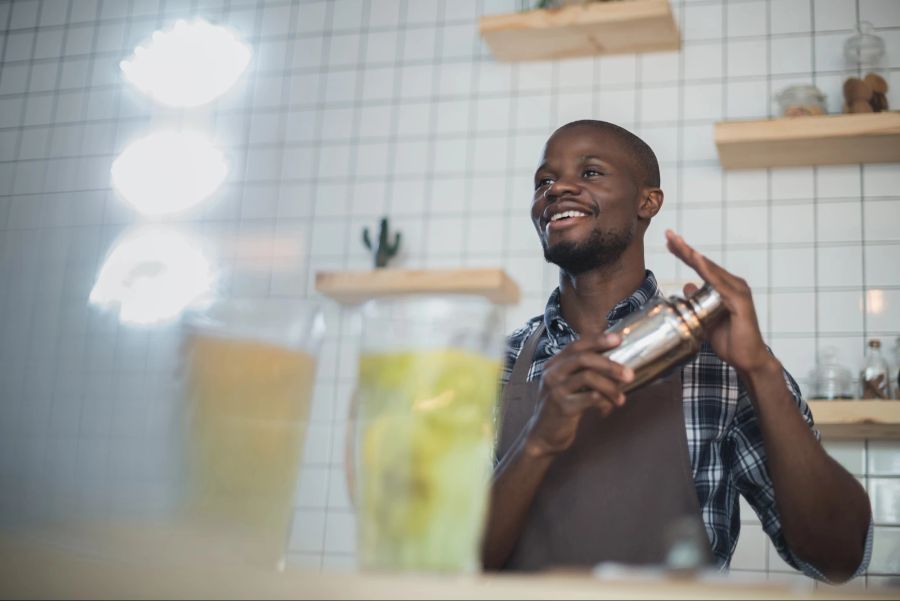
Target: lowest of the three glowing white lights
[{"x": 152, "y": 275}]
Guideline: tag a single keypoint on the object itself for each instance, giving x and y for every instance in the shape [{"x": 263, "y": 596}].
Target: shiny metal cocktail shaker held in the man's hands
[{"x": 664, "y": 333}]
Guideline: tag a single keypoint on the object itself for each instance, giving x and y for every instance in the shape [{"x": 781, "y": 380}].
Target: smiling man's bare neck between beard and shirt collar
[{"x": 586, "y": 299}]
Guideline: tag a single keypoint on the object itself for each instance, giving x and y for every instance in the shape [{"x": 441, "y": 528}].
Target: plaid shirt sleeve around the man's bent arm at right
[{"x": 751, "y": 476}]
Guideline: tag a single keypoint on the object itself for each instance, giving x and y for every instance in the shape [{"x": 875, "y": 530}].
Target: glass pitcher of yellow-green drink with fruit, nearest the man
[{"x": 421, "y": 440}]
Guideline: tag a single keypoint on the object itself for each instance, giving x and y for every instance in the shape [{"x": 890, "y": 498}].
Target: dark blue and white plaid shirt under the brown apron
[{"x": 724, "y": 439}]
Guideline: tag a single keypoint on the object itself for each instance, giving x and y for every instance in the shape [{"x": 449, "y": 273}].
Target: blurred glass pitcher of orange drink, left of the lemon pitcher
[{"x": 249, "y": 371}]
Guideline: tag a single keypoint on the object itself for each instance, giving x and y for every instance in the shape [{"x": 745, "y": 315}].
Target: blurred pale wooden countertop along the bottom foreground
[{"x": 34, "y": 570}]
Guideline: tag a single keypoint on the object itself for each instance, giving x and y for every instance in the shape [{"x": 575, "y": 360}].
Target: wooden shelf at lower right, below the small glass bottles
[{"x": 857, "y": 419}]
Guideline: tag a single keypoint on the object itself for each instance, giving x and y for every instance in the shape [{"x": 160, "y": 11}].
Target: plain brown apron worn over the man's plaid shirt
[{"x": 616, "y": 493}]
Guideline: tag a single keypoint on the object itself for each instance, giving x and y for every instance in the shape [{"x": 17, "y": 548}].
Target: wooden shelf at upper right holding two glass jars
[{"x": 811, "y": 140}]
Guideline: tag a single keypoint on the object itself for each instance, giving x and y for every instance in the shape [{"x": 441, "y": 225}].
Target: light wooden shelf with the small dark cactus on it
[{"x": 353, "y": 287}]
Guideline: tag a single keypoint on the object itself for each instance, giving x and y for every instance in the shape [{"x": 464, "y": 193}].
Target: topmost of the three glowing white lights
[{"x": 187, "y": 65}]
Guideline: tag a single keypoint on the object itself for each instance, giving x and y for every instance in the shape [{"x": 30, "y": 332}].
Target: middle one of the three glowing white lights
[{"x": 168, "y": 172}]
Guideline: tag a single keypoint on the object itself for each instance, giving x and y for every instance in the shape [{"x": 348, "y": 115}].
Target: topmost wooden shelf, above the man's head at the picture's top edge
[{"x": 617, "y": 27}]
